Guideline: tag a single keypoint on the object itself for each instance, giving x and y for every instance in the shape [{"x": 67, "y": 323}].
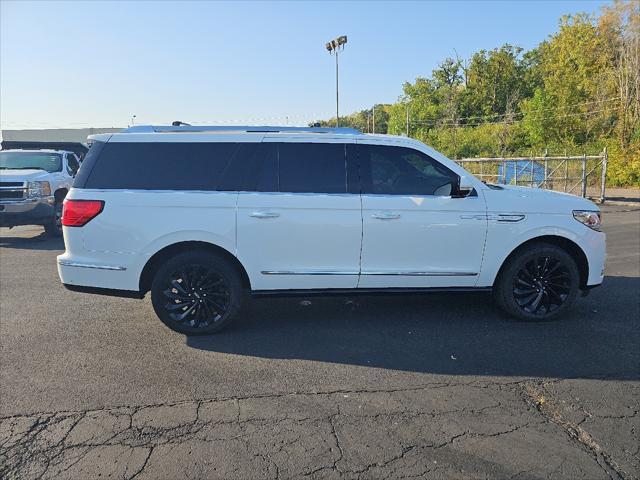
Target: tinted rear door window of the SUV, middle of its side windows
[{"x": 312, "y": 168}]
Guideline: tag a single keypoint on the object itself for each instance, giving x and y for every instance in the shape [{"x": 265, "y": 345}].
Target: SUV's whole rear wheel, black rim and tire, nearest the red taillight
[{"x": 181, "y": 284}]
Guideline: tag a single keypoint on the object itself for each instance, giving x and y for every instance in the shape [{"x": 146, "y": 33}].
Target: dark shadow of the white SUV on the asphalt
[{"x": 444, "y": 334}]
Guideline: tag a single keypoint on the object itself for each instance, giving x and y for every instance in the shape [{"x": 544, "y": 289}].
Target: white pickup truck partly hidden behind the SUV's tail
[{"x": 33, "y": 184}]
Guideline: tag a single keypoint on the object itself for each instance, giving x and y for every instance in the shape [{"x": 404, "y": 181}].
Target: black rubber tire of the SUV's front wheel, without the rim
[{"x": 504, "y": 292}]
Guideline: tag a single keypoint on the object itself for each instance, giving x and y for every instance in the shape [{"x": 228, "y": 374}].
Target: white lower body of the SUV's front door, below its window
[{"x": 421, "y": 241}]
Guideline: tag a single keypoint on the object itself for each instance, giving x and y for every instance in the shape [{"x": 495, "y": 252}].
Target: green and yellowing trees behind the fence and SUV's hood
[{"x": 576, "y": 92}]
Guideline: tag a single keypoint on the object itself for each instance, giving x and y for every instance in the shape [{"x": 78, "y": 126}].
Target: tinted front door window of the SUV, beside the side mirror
[{"x": 403, "y": 171}]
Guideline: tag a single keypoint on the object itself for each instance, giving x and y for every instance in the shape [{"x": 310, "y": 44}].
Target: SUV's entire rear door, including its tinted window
[{"x": 299, "y": 228}]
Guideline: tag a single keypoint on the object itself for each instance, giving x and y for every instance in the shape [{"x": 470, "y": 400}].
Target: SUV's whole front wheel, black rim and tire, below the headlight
[{"x": 538, "y": 283}]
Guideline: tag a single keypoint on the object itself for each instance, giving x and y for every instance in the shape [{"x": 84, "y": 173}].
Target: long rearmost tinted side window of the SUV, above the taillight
[{"x": 162, "y": 166}]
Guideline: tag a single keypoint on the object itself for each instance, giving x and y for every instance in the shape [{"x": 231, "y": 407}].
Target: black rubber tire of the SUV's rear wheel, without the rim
[{"x": 216, "y": 263}]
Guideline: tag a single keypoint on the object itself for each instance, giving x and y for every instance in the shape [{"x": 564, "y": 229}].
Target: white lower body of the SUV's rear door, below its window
[{"x": 299, "y": 241}]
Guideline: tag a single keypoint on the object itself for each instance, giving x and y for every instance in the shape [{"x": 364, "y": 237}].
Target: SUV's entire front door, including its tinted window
[{"x": 415, "y": 234}]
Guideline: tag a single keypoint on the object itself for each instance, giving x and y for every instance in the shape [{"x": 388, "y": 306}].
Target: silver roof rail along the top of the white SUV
[{"x": 234, "y": 128}]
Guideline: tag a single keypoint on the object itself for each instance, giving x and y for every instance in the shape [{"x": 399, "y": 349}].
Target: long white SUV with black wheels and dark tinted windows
[{"x": 199, "y": 216}]
